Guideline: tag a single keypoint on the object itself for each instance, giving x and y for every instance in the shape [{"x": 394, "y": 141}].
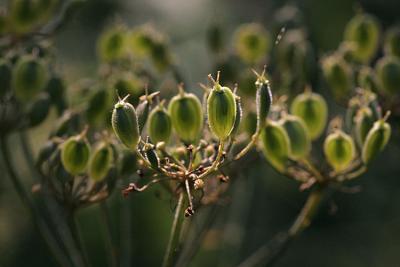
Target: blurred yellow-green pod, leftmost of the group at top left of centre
[{"x": 112, "y": 44}]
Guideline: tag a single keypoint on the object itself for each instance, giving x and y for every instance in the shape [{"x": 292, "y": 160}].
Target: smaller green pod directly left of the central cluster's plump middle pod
[{"x": 159, "y": 127}]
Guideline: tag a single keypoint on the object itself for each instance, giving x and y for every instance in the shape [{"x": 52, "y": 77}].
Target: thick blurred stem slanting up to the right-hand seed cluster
[{"x": 270, "y": 252}]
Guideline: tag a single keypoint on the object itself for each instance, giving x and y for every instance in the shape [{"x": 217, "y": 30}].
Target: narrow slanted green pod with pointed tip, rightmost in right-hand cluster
[{"x": 376, "y": 140}]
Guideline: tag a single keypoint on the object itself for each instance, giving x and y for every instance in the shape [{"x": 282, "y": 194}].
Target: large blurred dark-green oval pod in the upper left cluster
[{"x": 29, "y": 77}]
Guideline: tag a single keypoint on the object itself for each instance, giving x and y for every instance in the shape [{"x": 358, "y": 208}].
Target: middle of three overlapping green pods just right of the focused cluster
[{"x": 300, "y": 143}]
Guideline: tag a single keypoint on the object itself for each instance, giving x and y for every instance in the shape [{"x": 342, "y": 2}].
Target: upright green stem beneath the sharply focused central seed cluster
[{"x": 173, "y": 242}]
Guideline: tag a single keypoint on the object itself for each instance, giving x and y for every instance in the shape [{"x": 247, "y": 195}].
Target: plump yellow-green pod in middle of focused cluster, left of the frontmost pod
[{"x": 186, "y": 116}]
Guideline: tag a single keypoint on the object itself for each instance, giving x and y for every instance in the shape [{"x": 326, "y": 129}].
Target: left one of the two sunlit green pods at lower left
[{"x": 75, "y": 154}]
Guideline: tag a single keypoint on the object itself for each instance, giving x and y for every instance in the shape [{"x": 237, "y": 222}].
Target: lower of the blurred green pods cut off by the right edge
[{"x": 388, "y": 72}]
